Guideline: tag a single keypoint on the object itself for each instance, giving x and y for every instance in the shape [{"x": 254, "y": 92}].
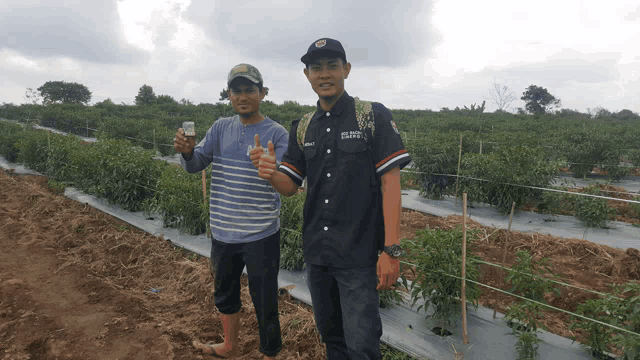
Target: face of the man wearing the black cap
[{"x": 327, "y": 76}]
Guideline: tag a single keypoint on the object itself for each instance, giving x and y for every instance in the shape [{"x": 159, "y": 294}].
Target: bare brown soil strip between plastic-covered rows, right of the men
[{"x": 578, "y": 262}]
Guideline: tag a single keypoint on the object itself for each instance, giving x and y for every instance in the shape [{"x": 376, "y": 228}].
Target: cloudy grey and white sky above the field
[{"x": 409, "y": 55}]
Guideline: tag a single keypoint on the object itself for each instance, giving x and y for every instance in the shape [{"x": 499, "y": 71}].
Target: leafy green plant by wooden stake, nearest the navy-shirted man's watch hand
[{"x": 434, "y": 253}]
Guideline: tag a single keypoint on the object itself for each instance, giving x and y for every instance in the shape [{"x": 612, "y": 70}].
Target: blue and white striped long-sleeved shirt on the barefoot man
[{"x": 242, "y": 207}]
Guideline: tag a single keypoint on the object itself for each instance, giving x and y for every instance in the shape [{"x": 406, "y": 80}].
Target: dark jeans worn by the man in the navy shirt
[{"x": 346, "y": 309}]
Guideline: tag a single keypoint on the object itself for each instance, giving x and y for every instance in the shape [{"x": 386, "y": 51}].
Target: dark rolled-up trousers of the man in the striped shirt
[{"x": 262, "y": 259}]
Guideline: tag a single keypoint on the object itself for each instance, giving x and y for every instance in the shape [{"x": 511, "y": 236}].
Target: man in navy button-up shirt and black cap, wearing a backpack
[{"x": 352, "y": 209}]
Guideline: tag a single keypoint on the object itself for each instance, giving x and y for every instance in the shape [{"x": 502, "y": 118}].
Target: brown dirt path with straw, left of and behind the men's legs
[{"x": 77, "y": 284}]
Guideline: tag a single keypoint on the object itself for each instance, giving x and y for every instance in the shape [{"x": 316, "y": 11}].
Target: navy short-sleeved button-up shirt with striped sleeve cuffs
[{"x": 343, "y": 224}]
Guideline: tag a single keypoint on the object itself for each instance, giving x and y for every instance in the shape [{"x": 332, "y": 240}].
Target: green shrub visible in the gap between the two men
[{"x": 291, "y": 255}]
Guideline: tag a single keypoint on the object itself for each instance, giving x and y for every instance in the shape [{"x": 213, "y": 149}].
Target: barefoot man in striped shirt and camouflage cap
[{"x": 244, "y": 211}]
